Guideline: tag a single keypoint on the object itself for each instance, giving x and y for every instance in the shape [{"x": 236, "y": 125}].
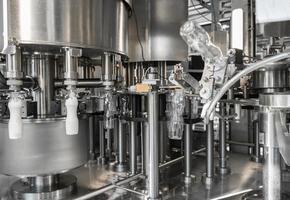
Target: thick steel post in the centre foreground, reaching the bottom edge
[{"x": 153, "y": 170}]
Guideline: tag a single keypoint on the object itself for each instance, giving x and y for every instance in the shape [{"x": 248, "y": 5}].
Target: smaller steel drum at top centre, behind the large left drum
[{"x": 158, "y": 26}]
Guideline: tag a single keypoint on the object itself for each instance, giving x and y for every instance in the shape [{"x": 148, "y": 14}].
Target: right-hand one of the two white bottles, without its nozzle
[{"x": 72, "y": 122}]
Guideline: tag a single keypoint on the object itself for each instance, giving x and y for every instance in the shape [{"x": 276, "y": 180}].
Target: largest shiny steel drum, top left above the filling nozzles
[{"x": 93, "y": 24}]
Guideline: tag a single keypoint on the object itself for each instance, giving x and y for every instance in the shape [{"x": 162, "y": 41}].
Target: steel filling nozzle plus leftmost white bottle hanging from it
[{"x": 14, "y": 75}]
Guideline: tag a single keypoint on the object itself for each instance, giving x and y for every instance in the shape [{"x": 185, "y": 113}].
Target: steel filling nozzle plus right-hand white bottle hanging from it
[{"x": 71, "y": 103}]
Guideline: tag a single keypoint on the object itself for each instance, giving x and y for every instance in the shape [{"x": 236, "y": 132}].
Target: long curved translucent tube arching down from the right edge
[{"x": 239, "y": 75}]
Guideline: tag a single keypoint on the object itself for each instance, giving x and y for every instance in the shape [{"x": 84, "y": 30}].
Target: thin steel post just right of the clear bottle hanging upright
[{"x": 187, "y": 153}]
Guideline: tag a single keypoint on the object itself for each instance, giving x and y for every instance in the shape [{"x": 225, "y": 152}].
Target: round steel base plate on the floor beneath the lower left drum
[{"x": 65, "y": 187}]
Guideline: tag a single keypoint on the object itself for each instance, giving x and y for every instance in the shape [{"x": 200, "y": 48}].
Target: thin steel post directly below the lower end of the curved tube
[{"x": 210, "y": 152}]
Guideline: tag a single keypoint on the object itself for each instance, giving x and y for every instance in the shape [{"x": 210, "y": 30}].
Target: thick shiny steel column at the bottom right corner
[{"x": 272, "y": 168}]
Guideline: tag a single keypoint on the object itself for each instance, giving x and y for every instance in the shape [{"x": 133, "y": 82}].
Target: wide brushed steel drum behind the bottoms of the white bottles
[{"x": 43, "y": 149}]
